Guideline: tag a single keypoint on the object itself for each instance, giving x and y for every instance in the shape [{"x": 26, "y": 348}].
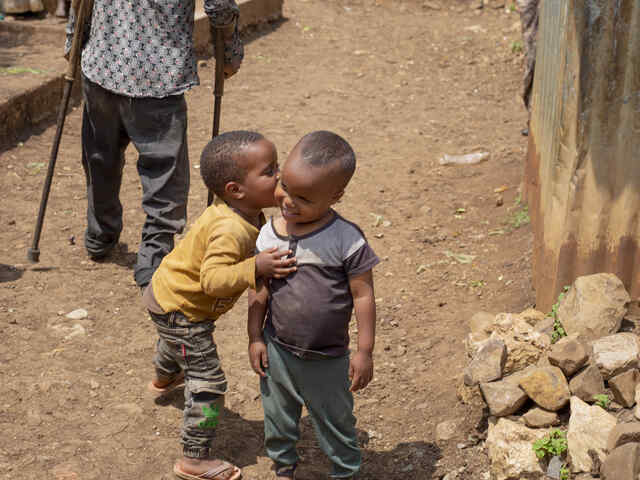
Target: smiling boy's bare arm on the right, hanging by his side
[{"x": 361, "y": 366}]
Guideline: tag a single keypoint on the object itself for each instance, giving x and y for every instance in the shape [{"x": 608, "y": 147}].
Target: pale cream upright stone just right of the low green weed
[{"x": 589, "y": 429}]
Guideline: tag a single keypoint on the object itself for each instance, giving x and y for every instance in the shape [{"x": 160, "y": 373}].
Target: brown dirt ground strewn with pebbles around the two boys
[{"x": 405, "y": 82}]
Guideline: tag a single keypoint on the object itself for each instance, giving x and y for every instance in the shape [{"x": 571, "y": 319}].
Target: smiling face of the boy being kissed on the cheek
[{"x": 305, "y": 193}]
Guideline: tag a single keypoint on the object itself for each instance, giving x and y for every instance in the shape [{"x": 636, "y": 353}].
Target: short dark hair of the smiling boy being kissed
[{"x": 324, "y": 149}]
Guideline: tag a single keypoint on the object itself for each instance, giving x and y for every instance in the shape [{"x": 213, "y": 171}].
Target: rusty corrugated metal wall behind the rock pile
[{"x": 582, "y": 175}]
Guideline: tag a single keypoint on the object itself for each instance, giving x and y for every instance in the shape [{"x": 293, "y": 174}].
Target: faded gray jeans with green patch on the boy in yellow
[{"x": 187, "y": 346}]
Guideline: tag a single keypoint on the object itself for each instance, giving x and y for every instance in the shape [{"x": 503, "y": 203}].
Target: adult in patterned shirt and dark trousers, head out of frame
[{"x": 137, "y": 62}]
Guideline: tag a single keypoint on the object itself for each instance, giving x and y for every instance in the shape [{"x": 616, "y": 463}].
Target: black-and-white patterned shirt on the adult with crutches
[{"x": 144, "y": 48}]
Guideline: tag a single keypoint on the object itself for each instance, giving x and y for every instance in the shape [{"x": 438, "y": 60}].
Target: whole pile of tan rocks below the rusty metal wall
[{"x": 532, "y": 385}]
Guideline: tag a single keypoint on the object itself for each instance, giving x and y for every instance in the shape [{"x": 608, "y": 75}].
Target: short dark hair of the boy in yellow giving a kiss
[{"x": 218, "y": 162}]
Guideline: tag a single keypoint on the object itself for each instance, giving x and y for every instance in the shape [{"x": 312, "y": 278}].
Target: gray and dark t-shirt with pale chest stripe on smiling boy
[{"x": 309, "y": 310}]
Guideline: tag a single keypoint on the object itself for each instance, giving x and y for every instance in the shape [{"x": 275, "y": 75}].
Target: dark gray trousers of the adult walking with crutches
[{"x": 157, "y": 127}]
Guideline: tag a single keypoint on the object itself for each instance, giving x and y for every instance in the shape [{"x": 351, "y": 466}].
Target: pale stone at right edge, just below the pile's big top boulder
[{"x": 616, "y": 353}]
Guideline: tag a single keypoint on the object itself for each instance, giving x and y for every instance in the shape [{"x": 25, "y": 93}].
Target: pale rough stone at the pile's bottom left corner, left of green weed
[{"x": 510, "y": 453}]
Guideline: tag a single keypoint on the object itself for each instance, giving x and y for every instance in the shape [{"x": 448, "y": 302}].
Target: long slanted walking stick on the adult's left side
[{"x": 82, "y": 9}]
